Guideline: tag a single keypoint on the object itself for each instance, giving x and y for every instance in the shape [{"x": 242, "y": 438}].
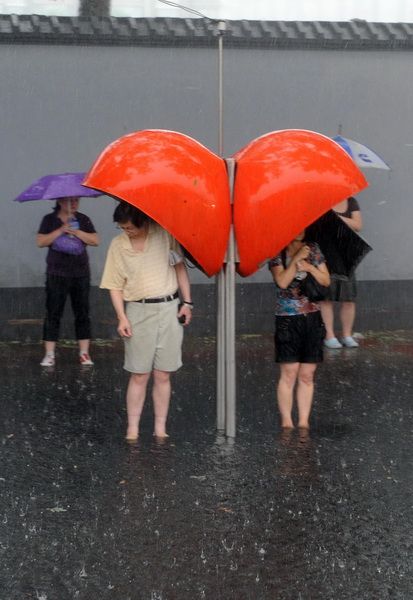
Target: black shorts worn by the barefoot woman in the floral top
[{"x": 299, "y": 338}]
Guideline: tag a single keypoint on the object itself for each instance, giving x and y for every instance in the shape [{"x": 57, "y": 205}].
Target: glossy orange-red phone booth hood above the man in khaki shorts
[{"x": 177, "y": 182}]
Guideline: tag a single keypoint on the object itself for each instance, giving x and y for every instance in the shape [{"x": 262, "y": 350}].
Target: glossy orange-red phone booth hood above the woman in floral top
[{"x": 284, "y": 181}]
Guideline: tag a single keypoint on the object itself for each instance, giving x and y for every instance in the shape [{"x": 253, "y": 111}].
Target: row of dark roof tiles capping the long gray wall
[{"x": 354, "y": 34}]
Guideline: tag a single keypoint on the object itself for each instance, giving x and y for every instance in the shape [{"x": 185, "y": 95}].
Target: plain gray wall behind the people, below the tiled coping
[{"x": 61, "y": 105}]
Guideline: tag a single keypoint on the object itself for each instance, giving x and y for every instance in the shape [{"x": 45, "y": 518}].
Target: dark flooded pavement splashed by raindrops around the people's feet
[{"x": 265, "y": 516}]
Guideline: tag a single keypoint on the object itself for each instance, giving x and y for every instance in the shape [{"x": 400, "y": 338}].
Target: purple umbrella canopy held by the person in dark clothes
[{"x": 61, "y": 185}]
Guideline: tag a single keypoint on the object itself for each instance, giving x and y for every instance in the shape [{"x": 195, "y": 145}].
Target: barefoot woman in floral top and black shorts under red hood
[{"x": 299, "y": 329}]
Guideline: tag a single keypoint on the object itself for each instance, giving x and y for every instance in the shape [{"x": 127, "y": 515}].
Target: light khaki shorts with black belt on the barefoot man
[{"x": 156, "y": 340}]
